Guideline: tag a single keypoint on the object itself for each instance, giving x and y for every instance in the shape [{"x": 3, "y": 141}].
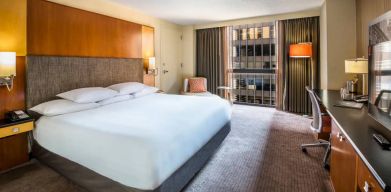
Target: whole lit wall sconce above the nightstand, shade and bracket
[{"x": 7, "y": 69}]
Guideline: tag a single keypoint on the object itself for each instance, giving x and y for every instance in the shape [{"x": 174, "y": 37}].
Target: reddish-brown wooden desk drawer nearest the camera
[{"x": 366, "y": 182}]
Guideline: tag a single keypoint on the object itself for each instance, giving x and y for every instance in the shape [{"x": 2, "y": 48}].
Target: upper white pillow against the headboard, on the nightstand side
[{"x": 88, "y": 95}]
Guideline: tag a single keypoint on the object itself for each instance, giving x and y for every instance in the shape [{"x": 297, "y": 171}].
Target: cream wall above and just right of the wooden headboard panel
[{"x": 112, "y": 9}]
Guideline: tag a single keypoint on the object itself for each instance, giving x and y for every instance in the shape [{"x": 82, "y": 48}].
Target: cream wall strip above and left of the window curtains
[{"x": 189, "y": 61}]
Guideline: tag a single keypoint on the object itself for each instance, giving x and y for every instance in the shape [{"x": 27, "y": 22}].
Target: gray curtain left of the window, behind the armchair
[{"x": 211, "y": 56}]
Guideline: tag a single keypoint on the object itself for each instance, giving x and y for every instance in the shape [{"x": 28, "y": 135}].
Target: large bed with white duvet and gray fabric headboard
[{"x": 157, "y": 142}]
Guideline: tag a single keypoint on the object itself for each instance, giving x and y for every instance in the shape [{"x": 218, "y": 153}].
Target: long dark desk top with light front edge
[{"x": 357, "y": 128}]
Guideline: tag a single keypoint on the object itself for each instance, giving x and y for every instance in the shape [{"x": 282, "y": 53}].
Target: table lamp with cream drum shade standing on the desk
[{"x": 357, "y": 66}]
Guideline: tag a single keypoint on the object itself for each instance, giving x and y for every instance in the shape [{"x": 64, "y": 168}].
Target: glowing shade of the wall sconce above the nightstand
[{"x": 7, "y": 64}]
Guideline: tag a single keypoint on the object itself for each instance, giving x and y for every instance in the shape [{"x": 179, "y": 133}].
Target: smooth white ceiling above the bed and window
[{"x": 187, "y": 12}]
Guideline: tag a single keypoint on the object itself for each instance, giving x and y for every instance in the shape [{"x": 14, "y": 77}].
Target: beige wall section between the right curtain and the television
[{"x": 339, "y": 32}]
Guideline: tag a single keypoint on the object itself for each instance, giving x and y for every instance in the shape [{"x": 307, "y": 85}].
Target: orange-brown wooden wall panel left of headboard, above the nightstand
[{"x": 15, "y": 99}]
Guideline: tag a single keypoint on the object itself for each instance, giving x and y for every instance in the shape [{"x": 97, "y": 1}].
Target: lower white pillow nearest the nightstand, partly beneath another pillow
[{"x": 61, "y": 106}]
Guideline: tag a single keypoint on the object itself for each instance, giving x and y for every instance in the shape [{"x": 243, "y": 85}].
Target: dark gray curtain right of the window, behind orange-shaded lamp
[{"x": 295, "y": 73}]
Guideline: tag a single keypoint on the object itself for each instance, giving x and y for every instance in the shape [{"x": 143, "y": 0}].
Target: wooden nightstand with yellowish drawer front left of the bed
[{"x": 14, "y": 143}]
